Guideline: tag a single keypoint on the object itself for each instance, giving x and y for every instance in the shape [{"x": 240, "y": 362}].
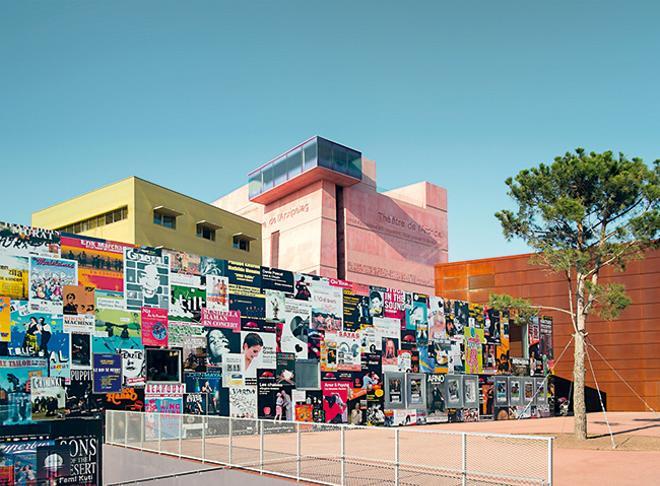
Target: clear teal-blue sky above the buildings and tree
[{"x": 194, "y": 94}]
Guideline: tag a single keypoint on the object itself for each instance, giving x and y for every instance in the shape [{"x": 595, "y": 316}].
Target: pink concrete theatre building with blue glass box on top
[{"x": 321, "y": 213}]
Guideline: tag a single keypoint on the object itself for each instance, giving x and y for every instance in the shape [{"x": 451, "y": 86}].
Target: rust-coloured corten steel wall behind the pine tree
[{"x": 630, "y": 343}]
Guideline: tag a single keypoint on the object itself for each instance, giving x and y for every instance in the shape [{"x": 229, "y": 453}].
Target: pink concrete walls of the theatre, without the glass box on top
[{"x": 392, "y": 239}]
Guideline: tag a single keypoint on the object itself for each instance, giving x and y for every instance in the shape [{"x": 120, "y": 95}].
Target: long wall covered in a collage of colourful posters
[{"x": 88, "y": 325}]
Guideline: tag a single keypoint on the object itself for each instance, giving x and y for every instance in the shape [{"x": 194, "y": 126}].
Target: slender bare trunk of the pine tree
[{"x": 579, "y": 406}]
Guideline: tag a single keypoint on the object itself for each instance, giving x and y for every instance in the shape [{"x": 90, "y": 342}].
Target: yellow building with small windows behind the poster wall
[{"x": 140, "y": 212}]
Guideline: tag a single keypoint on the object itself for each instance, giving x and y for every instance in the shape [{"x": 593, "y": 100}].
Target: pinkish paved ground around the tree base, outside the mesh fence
[{"x": 636, "y": 460}]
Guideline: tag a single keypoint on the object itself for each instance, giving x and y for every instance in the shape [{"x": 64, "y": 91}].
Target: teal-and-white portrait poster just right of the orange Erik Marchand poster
[{"x": 146, "y": 278}]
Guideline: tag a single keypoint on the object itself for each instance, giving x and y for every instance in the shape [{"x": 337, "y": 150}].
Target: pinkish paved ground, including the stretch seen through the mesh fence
[{"x": 371, "y": 451}]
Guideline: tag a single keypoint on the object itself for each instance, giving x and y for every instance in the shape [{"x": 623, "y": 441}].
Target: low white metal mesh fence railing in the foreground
[{"x": 339, "y": 454}]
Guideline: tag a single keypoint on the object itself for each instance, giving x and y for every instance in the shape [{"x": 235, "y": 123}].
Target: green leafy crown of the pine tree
[{"x": 585, "y": 209}]
